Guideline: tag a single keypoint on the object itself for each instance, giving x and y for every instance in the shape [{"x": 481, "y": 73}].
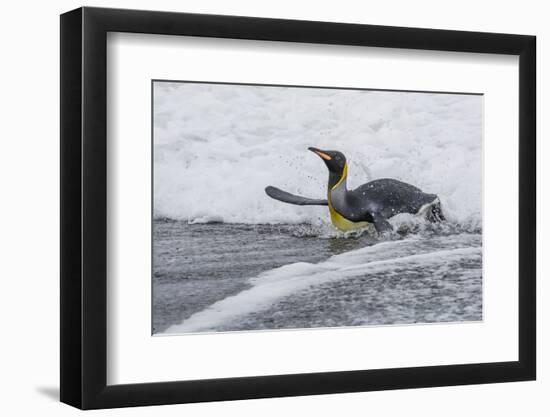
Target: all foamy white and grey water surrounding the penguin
[{"x": 231, "y": 258}]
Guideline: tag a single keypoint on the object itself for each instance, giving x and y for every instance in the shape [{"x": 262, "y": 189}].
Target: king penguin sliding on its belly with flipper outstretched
[{"x": 371, "y": 203}]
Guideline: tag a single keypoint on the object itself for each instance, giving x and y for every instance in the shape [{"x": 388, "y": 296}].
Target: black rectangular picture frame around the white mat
[{"x": 84, "y": 207}]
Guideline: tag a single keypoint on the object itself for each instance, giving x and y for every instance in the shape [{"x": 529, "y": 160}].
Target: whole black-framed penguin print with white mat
[{"x": 258, "y": 207}]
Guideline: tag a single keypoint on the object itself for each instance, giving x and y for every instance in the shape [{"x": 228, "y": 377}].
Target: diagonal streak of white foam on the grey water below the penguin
[{"x": 440, "y": 254}]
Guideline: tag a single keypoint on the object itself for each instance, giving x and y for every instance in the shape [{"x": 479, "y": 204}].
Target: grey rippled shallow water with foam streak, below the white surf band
[{"x": 227, "y": 277}]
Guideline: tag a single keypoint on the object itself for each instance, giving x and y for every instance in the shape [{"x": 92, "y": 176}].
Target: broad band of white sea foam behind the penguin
[{"x": 216, "y": 147}]
